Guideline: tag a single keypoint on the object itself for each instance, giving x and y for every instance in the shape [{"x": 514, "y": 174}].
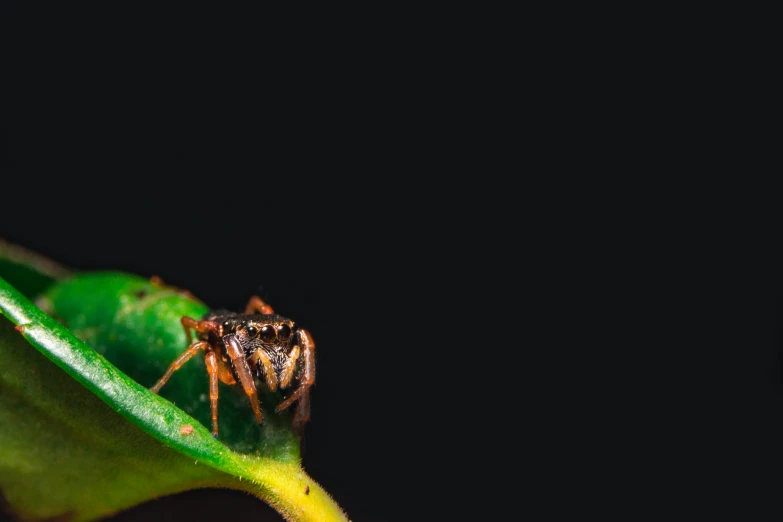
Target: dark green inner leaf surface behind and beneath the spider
[{"x": 136, "y": 325}]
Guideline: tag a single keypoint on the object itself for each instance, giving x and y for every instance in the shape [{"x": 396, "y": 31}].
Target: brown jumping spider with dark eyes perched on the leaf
[{"x": 236, "y": 344}]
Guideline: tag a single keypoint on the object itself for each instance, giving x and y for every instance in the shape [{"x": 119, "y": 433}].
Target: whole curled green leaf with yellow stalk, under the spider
[{"x": 80, "y": 438}]
